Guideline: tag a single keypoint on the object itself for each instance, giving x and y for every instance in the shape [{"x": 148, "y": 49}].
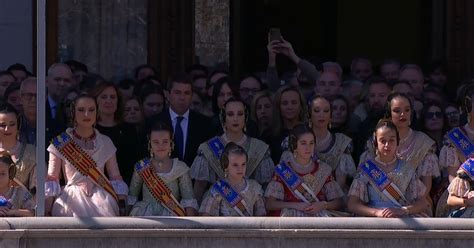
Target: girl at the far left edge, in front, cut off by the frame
[{"x": 15, "y": 200}]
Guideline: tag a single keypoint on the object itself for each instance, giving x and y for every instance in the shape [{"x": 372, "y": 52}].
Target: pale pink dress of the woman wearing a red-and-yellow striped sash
[{"x": 81, "y": 197}]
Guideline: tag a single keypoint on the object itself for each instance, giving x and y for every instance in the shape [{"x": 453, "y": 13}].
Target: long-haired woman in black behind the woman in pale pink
[{"x": 110, "y": 123}]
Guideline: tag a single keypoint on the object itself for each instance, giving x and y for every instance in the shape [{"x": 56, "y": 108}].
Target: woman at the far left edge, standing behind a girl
[{"x": 23, "y": 154}]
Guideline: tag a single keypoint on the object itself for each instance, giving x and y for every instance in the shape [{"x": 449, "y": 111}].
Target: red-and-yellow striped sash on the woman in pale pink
[{"x": 82, "y": 161}]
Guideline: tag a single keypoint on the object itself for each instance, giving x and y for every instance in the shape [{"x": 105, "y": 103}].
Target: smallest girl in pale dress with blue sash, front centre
[{"x": 234, "y": 195}]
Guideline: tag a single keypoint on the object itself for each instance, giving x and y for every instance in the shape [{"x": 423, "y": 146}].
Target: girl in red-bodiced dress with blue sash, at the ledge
[{"x": 301, "y": 186}]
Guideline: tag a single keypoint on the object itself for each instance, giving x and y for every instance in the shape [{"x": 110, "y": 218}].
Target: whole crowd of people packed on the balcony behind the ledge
[{"x": 379, "y": 141}]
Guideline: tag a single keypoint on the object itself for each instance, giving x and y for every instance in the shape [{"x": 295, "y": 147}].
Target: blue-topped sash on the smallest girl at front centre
[{"x": 232, "y": 197}]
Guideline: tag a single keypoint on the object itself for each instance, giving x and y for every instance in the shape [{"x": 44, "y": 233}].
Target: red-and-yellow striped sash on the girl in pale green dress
[{"x": 158, "y": 187}]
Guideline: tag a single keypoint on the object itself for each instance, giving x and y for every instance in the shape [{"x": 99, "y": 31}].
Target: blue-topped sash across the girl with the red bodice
[{"x": 294, "y": 183}]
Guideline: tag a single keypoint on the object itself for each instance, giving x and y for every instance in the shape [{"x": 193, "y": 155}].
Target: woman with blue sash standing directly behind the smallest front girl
[{"x": 206, "y": 166}]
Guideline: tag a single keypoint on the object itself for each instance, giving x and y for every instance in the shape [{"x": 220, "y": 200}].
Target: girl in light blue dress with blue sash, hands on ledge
[{"x": 386, "y": 186}]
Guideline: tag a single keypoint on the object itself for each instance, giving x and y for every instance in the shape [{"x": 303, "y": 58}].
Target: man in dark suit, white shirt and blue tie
[{"x": 190, "y": 128}]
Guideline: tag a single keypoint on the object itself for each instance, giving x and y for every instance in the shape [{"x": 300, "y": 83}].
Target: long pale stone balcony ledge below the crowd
[{"x": 235, "y": 232}]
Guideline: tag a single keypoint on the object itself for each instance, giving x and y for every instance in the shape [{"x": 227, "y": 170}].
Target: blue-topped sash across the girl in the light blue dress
[{"x": 380, "y": 181}]
